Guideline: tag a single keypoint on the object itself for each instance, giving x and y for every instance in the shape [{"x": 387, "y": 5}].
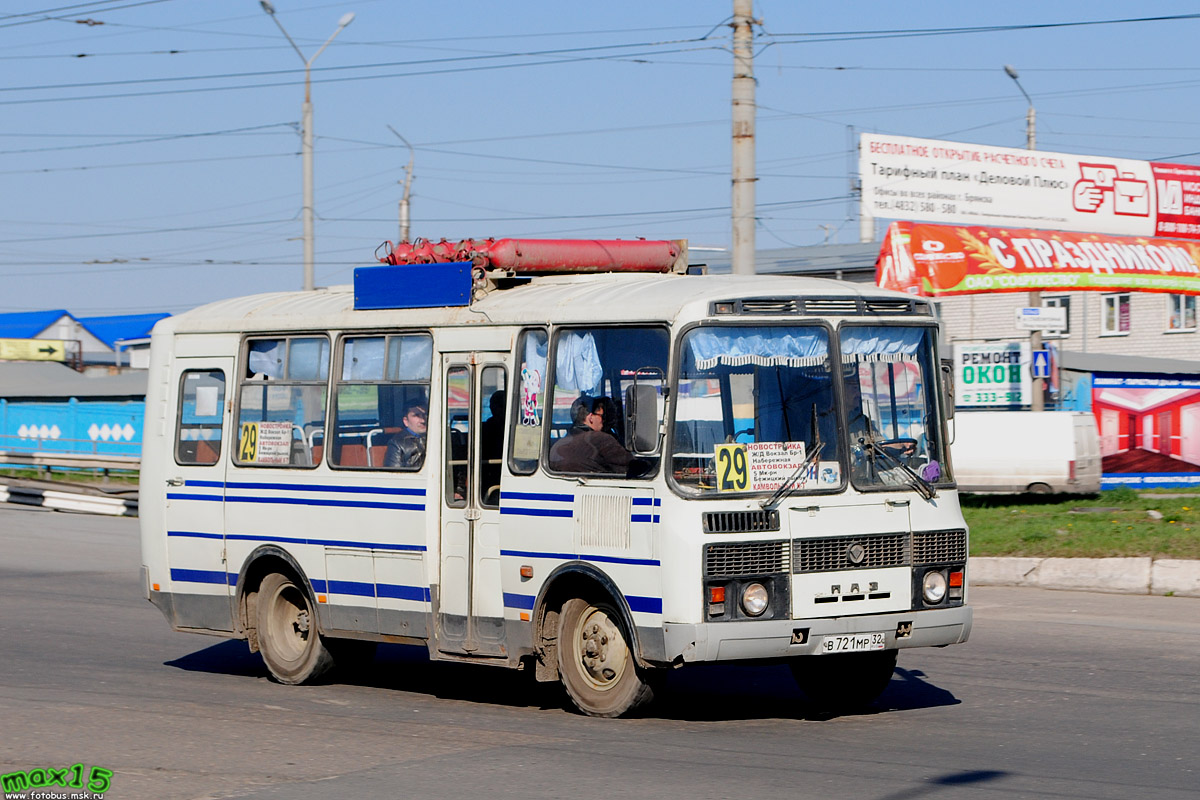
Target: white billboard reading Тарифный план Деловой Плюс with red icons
[{"x": 969, "y": 184}]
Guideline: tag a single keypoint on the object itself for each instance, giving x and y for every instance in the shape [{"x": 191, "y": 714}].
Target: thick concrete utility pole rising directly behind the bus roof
[{"x": 743, "y": 139}]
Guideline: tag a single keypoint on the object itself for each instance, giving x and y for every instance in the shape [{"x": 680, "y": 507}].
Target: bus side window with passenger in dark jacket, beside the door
[{"x": 381, "y": 407}]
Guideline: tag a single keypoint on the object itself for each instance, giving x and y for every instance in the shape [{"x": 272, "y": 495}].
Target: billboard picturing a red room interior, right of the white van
[{"x": 1150, "y": 430}]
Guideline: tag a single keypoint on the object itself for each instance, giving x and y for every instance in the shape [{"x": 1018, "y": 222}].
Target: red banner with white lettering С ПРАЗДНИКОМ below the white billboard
[{"x": 940, "y": 261}]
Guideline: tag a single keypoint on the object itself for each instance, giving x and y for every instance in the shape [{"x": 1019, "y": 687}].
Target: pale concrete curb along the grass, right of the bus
[{"x": 1129, "y": 576}]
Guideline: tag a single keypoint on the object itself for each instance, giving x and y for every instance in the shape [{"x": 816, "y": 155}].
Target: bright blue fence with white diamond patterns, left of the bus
[{"x": 106, "y": 428}]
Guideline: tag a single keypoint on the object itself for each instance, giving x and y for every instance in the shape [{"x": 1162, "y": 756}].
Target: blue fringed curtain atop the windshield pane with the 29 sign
[{"x": 764, "y": 347}]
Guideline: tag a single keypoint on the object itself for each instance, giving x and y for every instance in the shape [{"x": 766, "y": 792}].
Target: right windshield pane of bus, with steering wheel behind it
[{"x": 890, "y": 378}]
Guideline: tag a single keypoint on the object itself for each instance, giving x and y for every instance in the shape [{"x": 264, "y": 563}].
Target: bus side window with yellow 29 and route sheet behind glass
[{"x": 281, "y": 406}]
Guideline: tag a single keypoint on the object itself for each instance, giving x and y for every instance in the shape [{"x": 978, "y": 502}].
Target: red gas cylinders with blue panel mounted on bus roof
[{"x": 424, "y": 274}]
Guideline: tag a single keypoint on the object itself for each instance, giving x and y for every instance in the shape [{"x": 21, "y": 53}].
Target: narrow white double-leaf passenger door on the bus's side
[{"x": 471, "y": 604}]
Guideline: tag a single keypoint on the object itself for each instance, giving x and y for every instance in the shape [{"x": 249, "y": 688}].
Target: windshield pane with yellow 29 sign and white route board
[{"x": 755, "y": 411}]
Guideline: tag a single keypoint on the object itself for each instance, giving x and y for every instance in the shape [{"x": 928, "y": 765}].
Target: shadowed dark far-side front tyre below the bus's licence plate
[{"x": 845, "y": 682}]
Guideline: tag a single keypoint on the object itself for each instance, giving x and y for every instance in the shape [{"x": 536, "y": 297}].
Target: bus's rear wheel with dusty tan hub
[{"x": 287, "y": 633}]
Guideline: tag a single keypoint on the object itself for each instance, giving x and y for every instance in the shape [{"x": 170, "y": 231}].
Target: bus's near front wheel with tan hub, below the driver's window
[{"x": 596, "y": 663}]
